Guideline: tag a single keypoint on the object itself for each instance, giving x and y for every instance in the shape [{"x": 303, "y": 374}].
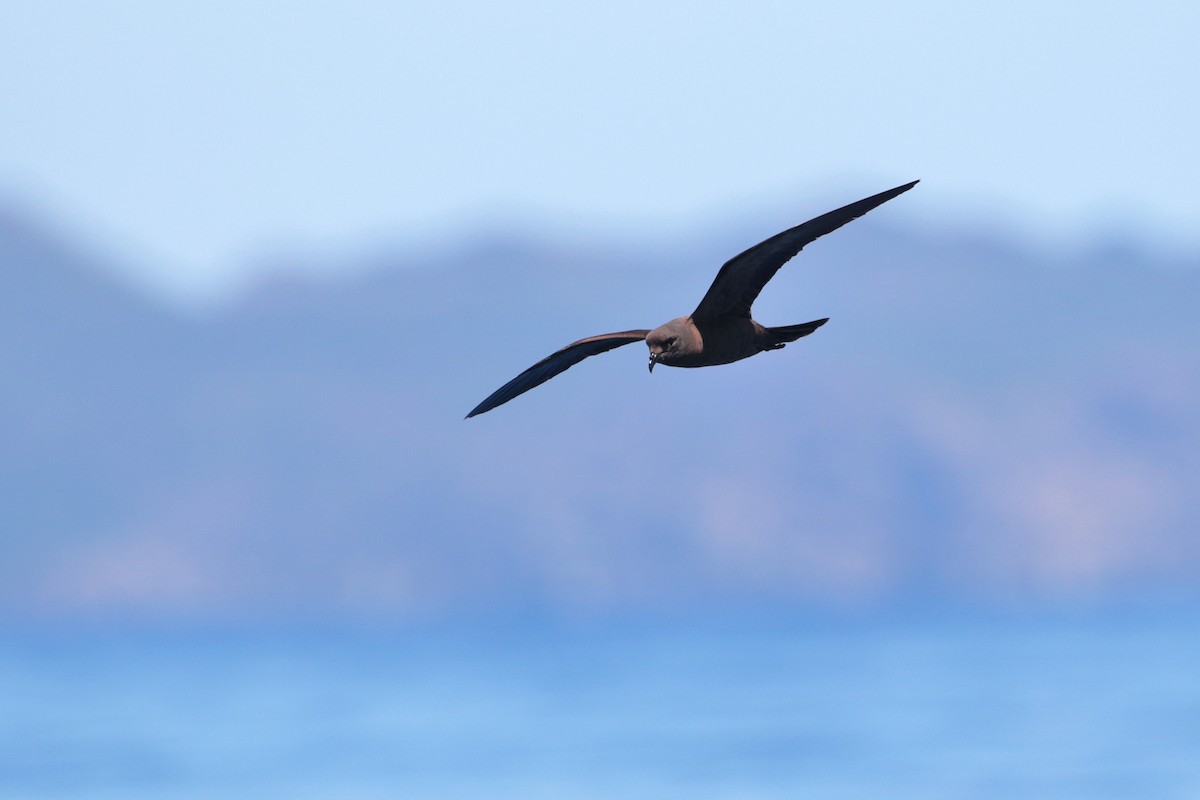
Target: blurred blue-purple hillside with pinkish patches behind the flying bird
[{"x": 980, "y": 423}]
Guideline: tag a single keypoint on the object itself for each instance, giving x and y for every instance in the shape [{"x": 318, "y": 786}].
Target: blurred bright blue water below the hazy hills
[{"x": 1022, "y": 709}]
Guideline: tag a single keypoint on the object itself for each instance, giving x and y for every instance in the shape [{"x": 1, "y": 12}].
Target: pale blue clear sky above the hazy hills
[{"x": 194, "y": 140}]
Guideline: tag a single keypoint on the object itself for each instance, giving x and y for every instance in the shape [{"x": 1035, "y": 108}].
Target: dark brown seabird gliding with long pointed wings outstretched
[{"x": 721, "y": 330}]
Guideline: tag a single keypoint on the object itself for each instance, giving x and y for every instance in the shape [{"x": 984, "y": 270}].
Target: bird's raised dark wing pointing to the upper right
[{"x": 745, "y": 276}]
